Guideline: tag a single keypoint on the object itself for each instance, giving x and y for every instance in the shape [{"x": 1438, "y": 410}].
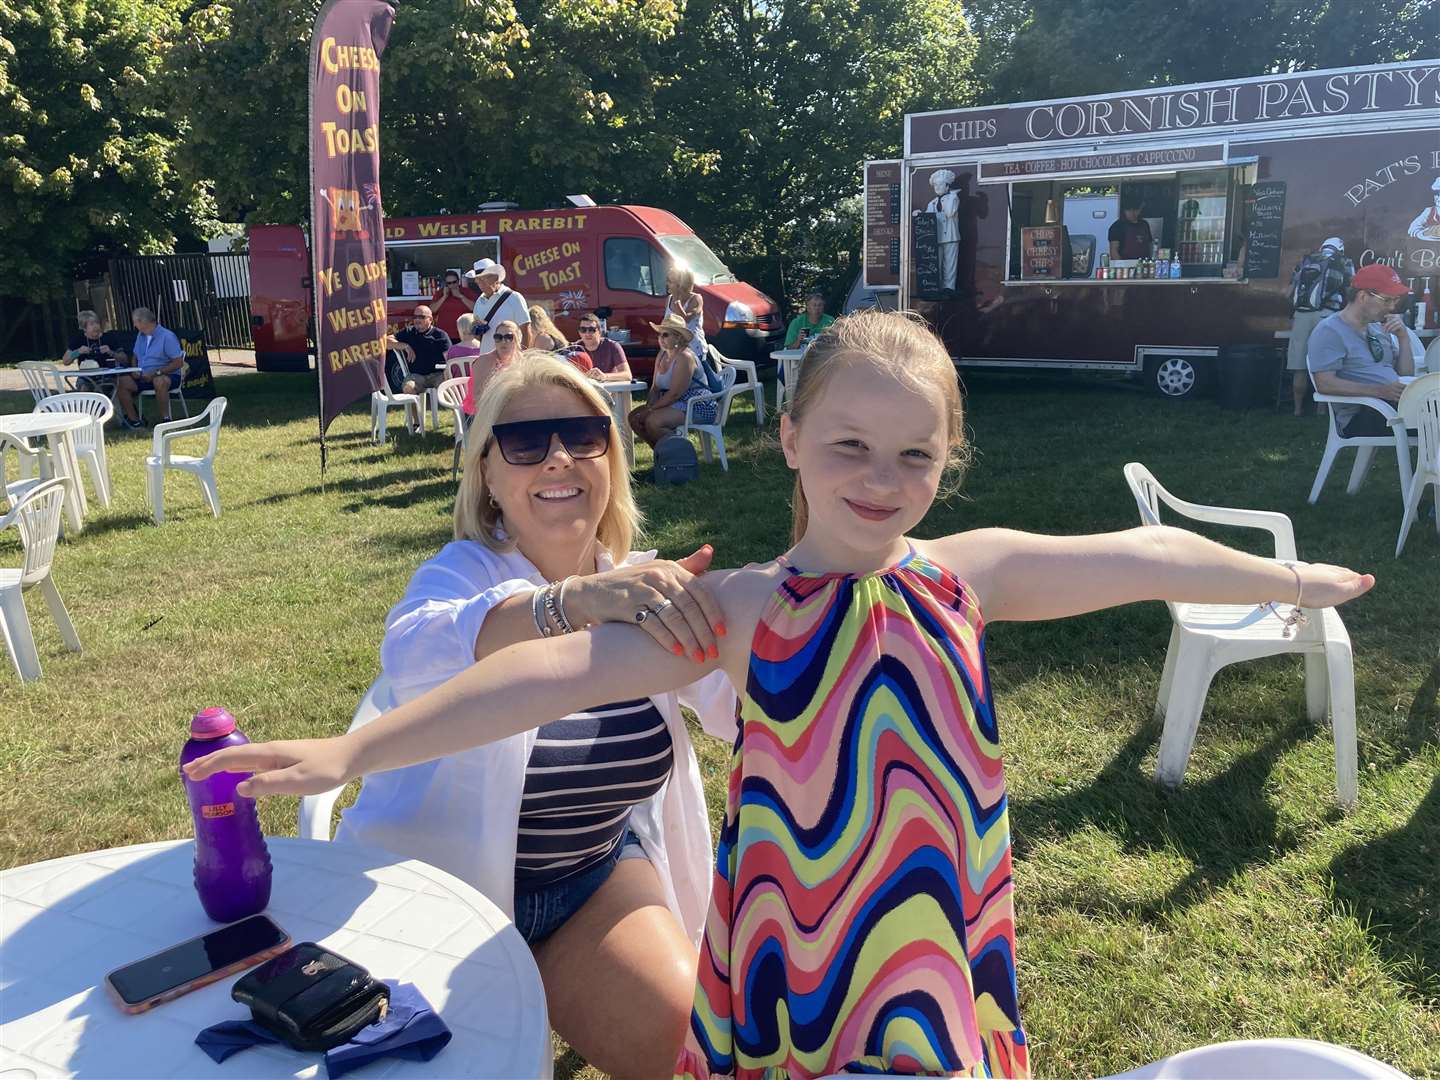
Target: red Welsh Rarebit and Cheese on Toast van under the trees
[{"x": 571, "y": 260}]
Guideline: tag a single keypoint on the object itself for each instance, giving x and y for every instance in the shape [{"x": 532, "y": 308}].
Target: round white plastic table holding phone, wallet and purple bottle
[{"x": 68, "y": 922}]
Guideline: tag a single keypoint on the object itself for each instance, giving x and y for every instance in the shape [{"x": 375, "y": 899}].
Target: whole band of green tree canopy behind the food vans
[{"x": 129, "y": 123}]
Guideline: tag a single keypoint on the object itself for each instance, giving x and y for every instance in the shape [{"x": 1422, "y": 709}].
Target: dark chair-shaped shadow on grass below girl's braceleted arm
[{"x": 1223, "y": 826}]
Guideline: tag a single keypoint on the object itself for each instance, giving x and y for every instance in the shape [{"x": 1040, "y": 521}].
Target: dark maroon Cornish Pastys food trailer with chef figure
[{"x": 997, "y": 222}]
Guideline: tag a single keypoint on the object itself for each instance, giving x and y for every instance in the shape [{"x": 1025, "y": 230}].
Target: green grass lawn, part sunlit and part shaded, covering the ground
[{"x": 1245, "y": 905}]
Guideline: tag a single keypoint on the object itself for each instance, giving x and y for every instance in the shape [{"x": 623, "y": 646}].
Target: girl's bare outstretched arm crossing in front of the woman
[{"x": 512, "y": 690}]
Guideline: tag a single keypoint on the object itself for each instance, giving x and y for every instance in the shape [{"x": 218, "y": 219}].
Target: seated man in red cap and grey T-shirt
[{"x": 1353, "y": 354}]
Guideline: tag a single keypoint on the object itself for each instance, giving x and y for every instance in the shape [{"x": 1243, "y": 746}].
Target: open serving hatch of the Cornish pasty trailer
[{"x": 1196, "y": 217}]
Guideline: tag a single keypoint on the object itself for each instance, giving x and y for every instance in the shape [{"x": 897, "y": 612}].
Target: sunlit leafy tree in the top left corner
[{"x": 87, "y": 150}]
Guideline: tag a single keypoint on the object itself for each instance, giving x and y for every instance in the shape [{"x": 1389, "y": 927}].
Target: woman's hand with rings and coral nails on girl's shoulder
[{"x": 689, "y": 620}]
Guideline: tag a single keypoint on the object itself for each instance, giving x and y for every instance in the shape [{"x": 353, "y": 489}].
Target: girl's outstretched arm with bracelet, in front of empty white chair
[{"x": 1032, "y": 577}]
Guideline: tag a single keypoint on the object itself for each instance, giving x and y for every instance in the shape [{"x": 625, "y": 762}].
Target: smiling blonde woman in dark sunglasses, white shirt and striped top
[{"x": 593, "y": 832}]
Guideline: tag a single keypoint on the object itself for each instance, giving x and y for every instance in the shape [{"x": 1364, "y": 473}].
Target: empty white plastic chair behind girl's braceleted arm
[{"x": 1207, "y": 637}]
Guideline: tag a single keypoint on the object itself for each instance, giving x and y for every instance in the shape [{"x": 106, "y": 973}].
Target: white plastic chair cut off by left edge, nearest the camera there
[{"x": 38, "y": 519}]
